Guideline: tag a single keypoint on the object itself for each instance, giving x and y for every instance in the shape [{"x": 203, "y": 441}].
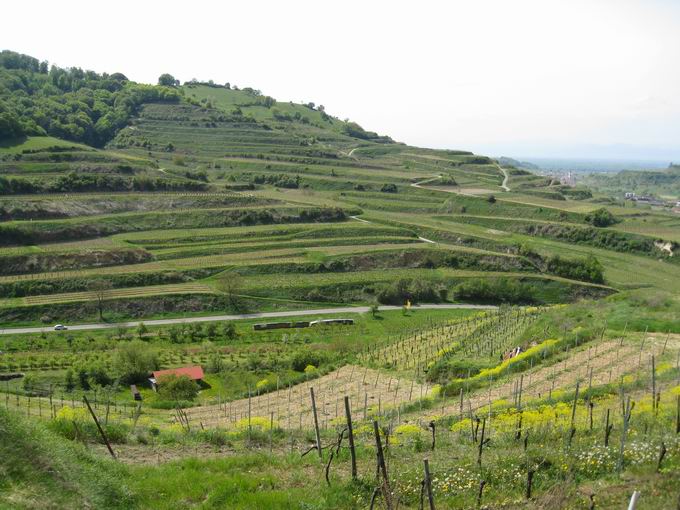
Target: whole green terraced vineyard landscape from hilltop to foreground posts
[{"x": 194, "y": 203}]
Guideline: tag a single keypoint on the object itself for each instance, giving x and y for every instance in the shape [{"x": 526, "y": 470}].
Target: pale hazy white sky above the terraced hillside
[{"x": 591, "y": 78}]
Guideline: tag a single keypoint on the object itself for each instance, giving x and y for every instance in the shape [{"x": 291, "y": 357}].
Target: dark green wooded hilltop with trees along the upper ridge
[{"x": 37, "y": 99}]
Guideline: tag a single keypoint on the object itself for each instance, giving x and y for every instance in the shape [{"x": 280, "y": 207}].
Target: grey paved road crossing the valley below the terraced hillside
[{"x": 262, "y": 315}]
